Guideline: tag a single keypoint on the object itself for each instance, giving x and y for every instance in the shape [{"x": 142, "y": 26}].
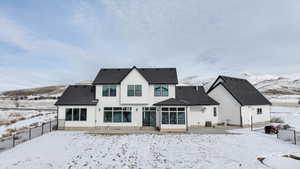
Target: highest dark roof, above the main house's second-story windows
[{"x": 152, "y": 75}]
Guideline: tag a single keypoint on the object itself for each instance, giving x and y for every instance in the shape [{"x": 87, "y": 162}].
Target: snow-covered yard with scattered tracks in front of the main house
[{"x": 63, "y": 149}]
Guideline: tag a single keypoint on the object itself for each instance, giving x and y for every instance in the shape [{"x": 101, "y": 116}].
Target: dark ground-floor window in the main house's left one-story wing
[{"x": 76, "y": 114}]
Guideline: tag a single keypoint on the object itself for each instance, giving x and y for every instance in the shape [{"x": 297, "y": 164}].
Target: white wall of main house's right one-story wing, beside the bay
[{"x": 198, "y": 115}]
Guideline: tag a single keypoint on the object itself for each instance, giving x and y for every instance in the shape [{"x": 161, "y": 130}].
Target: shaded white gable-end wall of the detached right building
[{"x": 229, "y": 108}]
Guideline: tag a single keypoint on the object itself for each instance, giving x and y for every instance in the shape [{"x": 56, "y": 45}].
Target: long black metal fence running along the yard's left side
[{"x": 27, "y": 134}]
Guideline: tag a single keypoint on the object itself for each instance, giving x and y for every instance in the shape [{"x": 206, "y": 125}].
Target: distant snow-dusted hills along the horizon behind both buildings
[{"x": 270, "y": 85}]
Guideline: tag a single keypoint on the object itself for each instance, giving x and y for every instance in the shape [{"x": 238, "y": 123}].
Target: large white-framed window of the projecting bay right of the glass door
[{"x": 173, "y": 115}]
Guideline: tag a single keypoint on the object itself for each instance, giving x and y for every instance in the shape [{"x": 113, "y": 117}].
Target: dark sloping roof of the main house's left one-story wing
[{"x": 78, "y": 95}]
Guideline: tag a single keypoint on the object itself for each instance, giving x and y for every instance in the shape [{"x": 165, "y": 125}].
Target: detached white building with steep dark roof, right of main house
[{"x": 240, "y": 102}]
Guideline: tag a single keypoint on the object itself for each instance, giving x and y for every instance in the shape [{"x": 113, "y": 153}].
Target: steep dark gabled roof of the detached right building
[{"x": 242, "y": 90}]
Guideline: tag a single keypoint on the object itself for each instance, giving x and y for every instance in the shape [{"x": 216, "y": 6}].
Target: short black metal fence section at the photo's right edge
[{"x": 289, "y": 135}]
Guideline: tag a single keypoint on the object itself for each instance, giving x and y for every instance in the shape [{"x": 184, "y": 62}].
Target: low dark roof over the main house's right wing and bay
[{"x": 189, "y": 96}]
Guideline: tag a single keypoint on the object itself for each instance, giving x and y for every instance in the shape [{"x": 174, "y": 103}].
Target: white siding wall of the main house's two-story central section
[{"x": 135, "y": 102}]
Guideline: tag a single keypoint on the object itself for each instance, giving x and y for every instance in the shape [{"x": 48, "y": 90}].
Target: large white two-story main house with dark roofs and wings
[{"x": 136, "y": 98}]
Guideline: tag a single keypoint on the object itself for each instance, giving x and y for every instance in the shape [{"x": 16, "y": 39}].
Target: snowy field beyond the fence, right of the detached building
[{"x": 290, "y": 115}]
